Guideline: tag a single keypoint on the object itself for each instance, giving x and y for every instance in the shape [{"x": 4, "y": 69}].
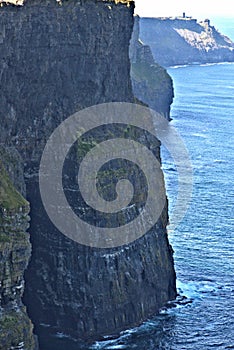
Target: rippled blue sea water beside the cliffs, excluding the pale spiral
[{"x": 202, "y": 319}]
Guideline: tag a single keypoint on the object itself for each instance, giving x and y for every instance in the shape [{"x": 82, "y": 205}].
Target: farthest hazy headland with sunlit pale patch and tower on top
[{"x": 178, "y": 41}]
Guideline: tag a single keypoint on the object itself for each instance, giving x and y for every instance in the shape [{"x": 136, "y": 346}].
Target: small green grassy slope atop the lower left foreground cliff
[{"x": 10, "y": 198}]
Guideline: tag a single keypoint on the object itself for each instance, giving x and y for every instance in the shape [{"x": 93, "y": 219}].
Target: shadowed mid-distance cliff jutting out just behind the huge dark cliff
[{"x": 150, "y": 82}]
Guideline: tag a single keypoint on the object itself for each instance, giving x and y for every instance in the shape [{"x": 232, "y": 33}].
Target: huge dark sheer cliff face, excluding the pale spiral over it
[{"x": 55, "y": 60}]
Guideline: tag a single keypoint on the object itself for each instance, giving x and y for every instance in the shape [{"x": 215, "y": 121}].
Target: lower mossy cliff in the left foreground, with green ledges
[{"x": 15, "y": 249}]
